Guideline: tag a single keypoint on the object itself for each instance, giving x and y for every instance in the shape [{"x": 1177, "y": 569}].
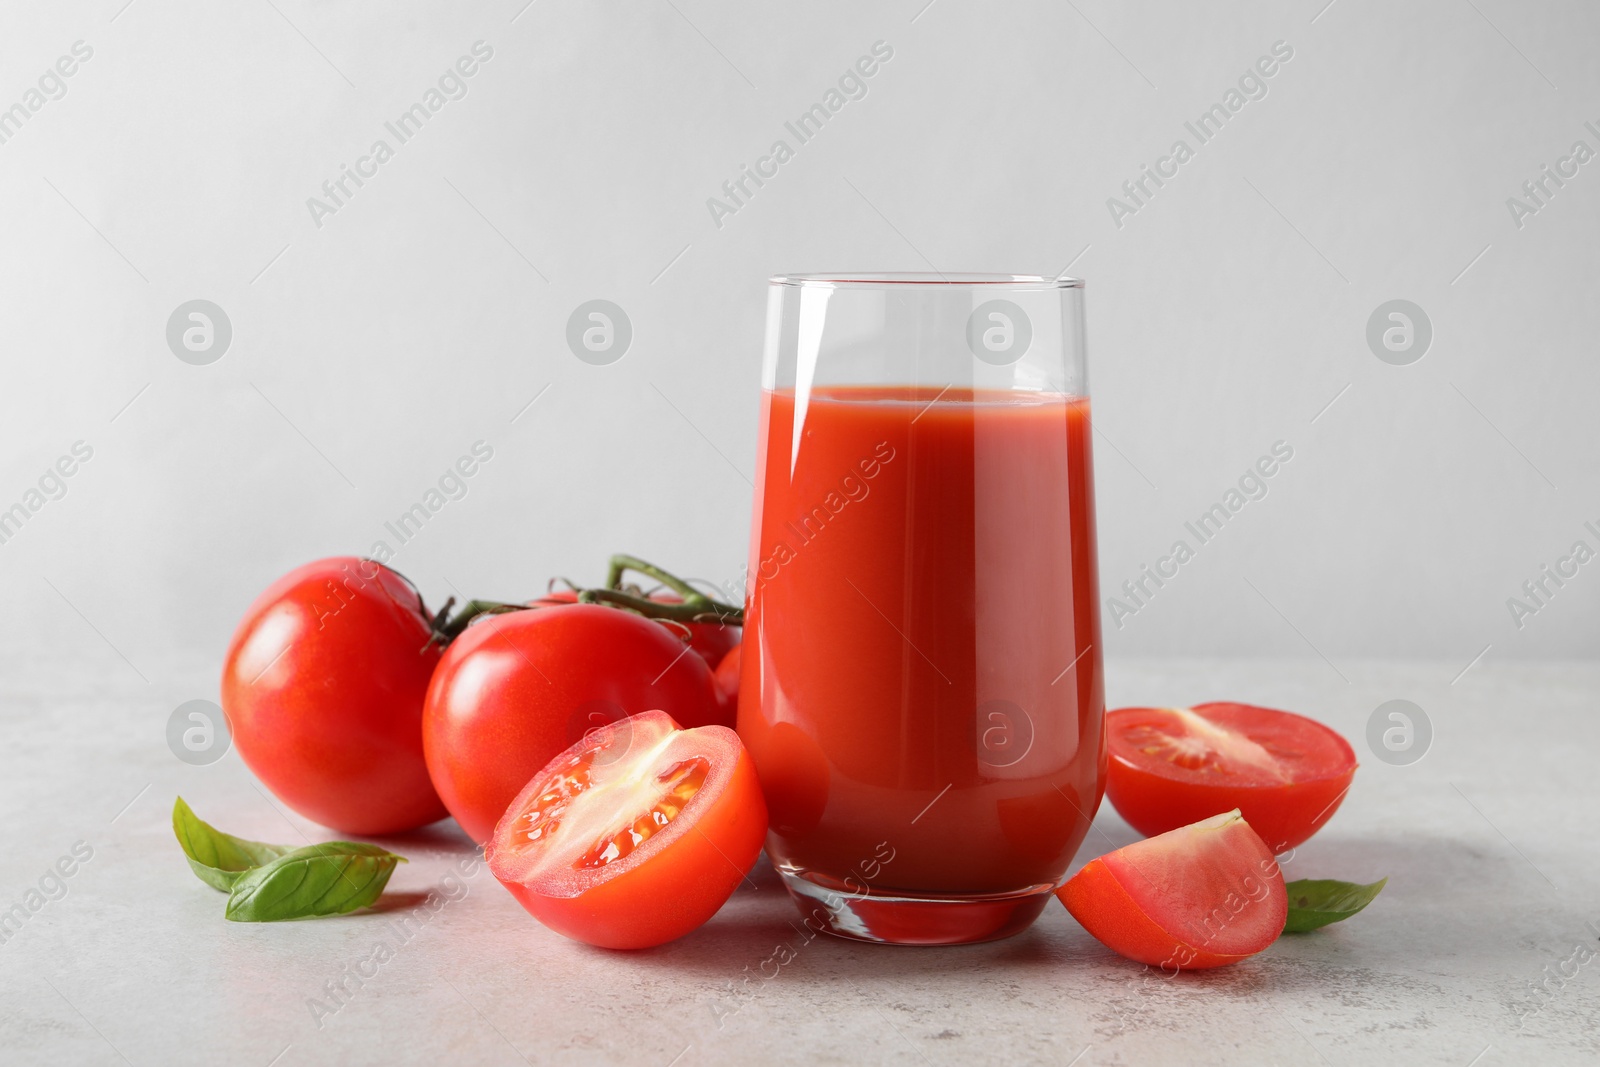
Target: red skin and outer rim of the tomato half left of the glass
[{"x": 673, "y": 892}]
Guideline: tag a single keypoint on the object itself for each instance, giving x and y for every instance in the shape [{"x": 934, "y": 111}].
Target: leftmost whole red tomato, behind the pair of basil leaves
[{"x": 324, "y": 689}]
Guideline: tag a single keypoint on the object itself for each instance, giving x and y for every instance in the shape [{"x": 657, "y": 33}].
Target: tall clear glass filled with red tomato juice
[{"x": 922, "y": 682}]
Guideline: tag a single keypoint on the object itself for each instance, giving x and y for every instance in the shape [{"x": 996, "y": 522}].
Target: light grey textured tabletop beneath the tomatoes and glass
[{"x": 1489, "y": 844}]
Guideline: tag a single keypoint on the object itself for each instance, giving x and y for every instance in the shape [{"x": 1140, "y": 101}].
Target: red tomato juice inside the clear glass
[{"x": 922, "y": 677}]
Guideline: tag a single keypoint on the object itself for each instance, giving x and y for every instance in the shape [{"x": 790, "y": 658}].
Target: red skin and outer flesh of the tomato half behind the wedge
[{"x": 1156, "y": 799}]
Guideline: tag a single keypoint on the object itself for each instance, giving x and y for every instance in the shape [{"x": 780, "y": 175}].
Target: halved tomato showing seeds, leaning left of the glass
[{"x": 634, "y": 836}]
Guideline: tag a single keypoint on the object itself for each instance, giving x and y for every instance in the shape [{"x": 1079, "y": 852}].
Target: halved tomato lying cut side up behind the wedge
[{"x": 1175, "y": 765}]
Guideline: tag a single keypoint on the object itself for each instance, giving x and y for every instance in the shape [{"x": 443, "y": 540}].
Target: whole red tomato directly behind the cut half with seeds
[{"x": 514, "y": 690}]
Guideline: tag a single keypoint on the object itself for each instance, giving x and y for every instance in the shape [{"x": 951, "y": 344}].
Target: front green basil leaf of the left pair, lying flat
[{"x": 327, "y": 879}]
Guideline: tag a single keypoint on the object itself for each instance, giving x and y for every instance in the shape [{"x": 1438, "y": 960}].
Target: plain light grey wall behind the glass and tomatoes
[{"x": 370, "y": 353}]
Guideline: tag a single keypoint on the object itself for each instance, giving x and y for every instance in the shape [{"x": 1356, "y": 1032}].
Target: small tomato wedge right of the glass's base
[{"x": 1198, "y": 897}]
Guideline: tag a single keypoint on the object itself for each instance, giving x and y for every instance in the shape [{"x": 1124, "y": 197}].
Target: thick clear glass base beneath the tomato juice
[{"x": 911, "y": 919}]
